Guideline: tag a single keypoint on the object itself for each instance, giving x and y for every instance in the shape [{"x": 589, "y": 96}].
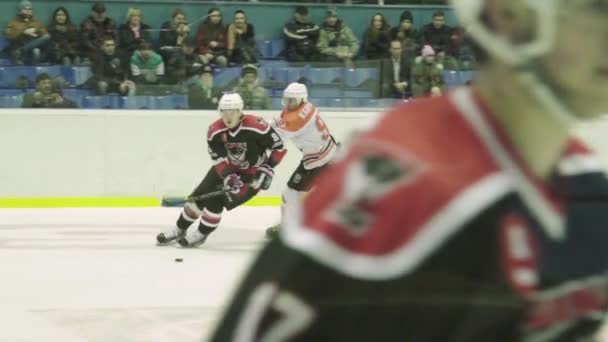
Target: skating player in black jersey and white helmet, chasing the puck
[{"x": 244, "y": 150}]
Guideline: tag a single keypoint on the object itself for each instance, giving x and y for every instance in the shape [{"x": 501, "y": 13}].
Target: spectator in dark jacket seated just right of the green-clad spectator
[{"x": 183, "y": 64}]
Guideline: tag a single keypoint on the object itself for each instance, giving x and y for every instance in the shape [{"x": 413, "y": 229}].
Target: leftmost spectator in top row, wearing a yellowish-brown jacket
[{"x": 27, "y": 36}]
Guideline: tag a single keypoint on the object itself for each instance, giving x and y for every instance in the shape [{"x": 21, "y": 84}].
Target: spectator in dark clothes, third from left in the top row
[{"x": 93, "y": 30}]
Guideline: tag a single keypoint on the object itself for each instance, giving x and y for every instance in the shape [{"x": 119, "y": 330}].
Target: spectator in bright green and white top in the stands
[{"x": 147, "y": 67}]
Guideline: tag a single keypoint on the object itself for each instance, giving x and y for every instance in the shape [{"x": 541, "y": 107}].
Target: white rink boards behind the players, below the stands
[{"x": 120, "y": 153}]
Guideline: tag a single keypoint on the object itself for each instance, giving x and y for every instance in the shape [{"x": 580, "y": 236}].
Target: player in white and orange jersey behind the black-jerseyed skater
[{"x": 301, "y": 122}]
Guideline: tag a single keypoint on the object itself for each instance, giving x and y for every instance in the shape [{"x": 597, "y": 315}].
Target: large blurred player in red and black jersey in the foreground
[{"x": 475, "y": 216}]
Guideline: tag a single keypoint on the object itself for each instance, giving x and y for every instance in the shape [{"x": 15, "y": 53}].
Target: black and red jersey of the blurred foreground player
[{"x": 431, "y": 227}]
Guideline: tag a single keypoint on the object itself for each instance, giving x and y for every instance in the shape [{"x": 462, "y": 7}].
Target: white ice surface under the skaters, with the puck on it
[{"x": 96, "y": 275}]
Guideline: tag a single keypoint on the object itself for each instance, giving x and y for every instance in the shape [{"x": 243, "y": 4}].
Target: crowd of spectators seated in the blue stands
[{"x": 123, "y": 58}]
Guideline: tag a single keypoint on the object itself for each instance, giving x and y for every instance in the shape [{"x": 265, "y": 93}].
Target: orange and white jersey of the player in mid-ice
[{"x": 305, "y": 127}]
